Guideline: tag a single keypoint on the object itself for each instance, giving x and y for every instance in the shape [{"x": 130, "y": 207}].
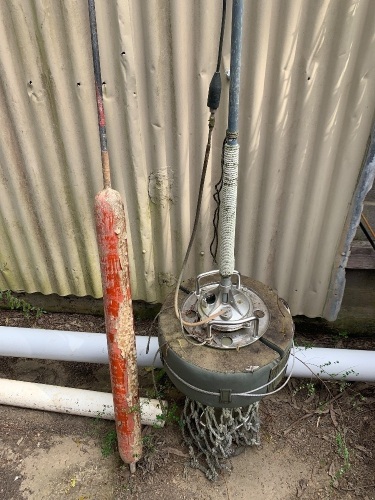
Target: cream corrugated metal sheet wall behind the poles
[{"x": 307, "y": 105}]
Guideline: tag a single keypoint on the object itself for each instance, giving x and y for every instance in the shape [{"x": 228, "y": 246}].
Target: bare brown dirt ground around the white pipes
[{"x": 317, "y": 439}]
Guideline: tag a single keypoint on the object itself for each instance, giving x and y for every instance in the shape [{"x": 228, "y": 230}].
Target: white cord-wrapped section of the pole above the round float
[{"x": 228, "y": 205}]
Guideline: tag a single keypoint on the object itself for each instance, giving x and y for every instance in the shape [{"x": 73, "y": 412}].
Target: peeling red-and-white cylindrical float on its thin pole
[{"x": 114, "y": 265}]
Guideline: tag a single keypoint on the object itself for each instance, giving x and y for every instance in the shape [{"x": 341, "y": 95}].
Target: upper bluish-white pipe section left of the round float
[{"x": 68, "y": 346}]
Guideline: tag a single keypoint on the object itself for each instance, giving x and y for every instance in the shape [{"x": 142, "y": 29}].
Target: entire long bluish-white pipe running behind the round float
[{"x": 327, "y": 363}]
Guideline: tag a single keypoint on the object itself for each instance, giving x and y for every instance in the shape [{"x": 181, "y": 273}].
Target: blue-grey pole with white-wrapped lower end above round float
[{"x": 228, "y": 203}]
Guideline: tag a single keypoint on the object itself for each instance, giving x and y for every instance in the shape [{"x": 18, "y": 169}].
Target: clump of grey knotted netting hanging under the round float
[{"x": 213, "y": 435}]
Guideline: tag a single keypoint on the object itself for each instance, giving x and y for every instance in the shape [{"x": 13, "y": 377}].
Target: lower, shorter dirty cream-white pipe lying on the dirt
[{"x": 73, "y": 401}]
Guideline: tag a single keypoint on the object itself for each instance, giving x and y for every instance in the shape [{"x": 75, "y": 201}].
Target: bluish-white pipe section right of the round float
[{"x": 335, "y": 364}]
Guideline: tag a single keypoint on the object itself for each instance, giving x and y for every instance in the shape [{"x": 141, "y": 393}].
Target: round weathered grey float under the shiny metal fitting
[{"x": 222, "y": 377}]
